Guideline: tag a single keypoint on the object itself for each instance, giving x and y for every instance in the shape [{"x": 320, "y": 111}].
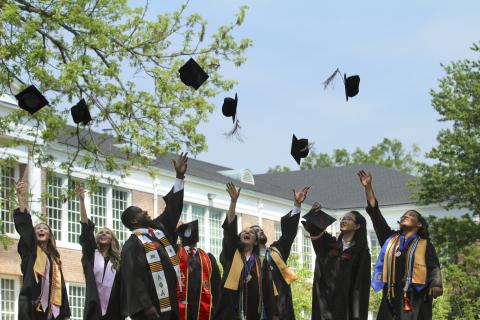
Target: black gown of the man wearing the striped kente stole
[{"x": 137, "y": 287}]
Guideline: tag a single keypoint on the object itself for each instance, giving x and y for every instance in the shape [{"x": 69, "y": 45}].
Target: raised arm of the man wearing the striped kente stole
[{"x": 174, "y": 199}]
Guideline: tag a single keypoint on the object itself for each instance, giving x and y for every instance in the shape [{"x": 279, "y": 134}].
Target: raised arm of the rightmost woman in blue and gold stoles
[{"x": 380, "y": 225}]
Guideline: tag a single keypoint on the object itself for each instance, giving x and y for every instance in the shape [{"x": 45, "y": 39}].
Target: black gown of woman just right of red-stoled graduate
[{"x": 228, "y": 306}]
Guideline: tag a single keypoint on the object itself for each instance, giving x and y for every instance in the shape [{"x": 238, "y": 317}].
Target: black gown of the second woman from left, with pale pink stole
[{"x": 93, "y": 310}]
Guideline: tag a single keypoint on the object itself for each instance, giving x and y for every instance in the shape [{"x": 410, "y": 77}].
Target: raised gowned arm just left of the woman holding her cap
[{"x": 289, "y": 223}]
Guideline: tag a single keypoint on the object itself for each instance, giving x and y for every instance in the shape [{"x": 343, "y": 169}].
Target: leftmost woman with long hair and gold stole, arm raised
[{"x": 43, "y": 295}]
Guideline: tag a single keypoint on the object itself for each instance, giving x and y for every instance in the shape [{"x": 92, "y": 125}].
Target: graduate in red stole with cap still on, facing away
[{"x": 200, "y": 276}]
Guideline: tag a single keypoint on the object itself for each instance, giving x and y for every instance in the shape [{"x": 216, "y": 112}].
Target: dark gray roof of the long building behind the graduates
[{"x": 334, "y": 188}]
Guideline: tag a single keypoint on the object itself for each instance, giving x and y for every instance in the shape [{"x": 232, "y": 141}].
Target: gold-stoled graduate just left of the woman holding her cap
[{"x": 277, "y": 277}]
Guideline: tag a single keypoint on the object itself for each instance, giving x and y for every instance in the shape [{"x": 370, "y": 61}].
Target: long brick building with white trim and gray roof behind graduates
[{"x": 264, "y": 199}]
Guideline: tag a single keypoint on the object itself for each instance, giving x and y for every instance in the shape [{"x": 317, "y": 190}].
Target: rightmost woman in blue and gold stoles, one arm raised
[{"x": 407, "y": 269}]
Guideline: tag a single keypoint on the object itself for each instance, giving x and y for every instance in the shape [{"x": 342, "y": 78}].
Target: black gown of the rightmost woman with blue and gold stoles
[{"x": 421, "y": 302}]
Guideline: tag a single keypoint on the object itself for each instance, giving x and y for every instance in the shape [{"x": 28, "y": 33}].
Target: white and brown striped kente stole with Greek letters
[{"x": 155, "y": 263}]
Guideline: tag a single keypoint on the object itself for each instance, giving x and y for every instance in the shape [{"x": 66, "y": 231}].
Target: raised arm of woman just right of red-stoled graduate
[{"x": 230, "y": 228}]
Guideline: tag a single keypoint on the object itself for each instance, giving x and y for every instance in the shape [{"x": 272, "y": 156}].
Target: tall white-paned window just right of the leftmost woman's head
[{"x": 54, "y": 205}]
